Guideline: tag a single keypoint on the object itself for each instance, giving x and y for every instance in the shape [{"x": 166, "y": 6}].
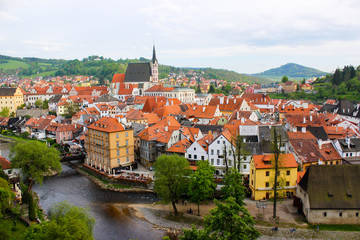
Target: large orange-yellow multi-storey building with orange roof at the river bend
[{"x": 109, "y": 145}]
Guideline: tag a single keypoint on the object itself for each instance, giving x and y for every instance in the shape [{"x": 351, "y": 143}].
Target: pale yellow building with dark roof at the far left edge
[{"x": 11, "y": 98}]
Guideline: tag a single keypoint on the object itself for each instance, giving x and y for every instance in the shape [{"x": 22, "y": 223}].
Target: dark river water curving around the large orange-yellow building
[{"x": 114, "y": 220}]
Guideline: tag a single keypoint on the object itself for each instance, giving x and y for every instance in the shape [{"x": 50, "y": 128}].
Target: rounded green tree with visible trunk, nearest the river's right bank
[{"x": 171, "y": 178}]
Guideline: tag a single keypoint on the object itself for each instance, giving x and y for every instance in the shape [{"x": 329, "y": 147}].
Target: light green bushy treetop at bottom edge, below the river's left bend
[{"x": 66, "y": 222}]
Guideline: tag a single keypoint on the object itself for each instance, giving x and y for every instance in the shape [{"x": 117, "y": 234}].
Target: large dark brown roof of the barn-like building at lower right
[{"x": 332, "y": 187}]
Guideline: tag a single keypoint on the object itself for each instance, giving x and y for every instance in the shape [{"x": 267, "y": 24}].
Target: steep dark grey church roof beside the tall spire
[{"x": 138, "y": 72}]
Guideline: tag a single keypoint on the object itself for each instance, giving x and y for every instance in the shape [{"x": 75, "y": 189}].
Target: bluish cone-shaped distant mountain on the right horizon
[{"x": 292, "y": 71}]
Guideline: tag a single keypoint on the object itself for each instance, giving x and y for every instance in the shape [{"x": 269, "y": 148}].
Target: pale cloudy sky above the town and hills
[{"x": 244, "y": 36}]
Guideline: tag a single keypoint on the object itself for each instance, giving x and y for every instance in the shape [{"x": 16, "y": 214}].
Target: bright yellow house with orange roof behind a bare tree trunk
[{"x": 262, "y": 175}]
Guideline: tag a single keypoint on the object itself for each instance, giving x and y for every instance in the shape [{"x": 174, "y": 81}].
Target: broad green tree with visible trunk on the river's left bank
[{"x": 35, "y": 159}]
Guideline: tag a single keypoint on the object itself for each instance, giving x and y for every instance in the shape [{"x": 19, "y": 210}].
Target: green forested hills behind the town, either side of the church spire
[{"x": 104, "y": 68}]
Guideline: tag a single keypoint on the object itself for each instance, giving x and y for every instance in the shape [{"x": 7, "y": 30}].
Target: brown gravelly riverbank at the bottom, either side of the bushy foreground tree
[{"x": 160, "y": 216}]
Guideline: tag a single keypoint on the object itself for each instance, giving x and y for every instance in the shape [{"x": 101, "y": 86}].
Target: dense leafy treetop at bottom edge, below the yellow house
[{"x": 228, "y": 221}]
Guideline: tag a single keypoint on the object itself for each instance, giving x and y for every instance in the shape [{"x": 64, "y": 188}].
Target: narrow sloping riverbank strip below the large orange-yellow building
[{"x": 106, "y": 185}]
